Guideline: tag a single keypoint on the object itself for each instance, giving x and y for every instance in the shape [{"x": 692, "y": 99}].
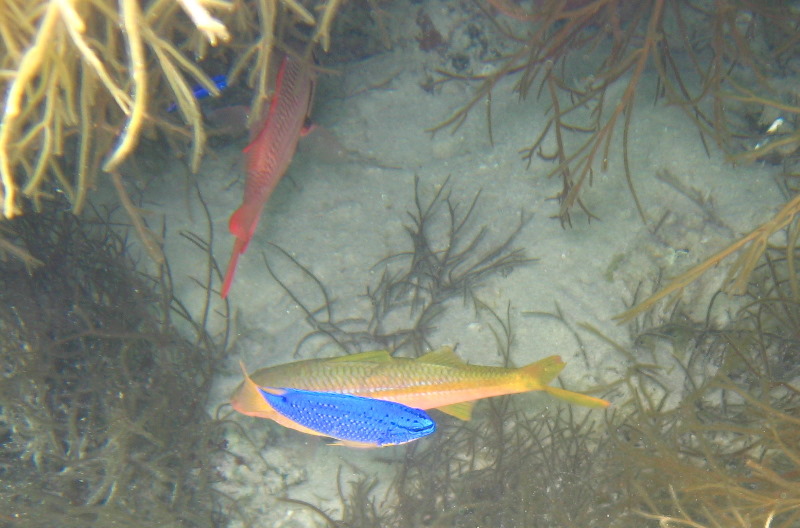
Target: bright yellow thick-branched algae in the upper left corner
[{"x": 84, "y": 80}]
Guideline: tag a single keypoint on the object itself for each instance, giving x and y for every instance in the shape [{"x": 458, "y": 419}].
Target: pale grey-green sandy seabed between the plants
[{"x": 340, "y": 215}]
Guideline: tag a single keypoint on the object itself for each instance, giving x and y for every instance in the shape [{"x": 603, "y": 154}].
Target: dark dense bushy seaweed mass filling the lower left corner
[{"x": 103, "y": 404}]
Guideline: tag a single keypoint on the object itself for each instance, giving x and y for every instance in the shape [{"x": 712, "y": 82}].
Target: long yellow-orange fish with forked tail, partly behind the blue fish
[{"x": 437, "y": 380}]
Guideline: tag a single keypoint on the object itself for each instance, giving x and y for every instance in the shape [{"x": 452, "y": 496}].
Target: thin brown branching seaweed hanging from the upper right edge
[{"x": 720, "y": 62}]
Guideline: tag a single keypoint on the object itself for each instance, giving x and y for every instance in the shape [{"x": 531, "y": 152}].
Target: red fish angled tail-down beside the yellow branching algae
[{"x": 271, "y": 152}]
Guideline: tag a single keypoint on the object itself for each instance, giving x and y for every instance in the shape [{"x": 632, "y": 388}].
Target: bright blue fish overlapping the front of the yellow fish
[{"x": 355, "y": 421}]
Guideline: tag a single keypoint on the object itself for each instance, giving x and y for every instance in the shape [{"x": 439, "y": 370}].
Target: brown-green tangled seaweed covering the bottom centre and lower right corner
[{"x": 704, "y": 433}]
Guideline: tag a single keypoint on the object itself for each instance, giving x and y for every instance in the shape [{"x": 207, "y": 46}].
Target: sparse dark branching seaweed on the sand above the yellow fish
[{"x": 448, "y": 257}]
